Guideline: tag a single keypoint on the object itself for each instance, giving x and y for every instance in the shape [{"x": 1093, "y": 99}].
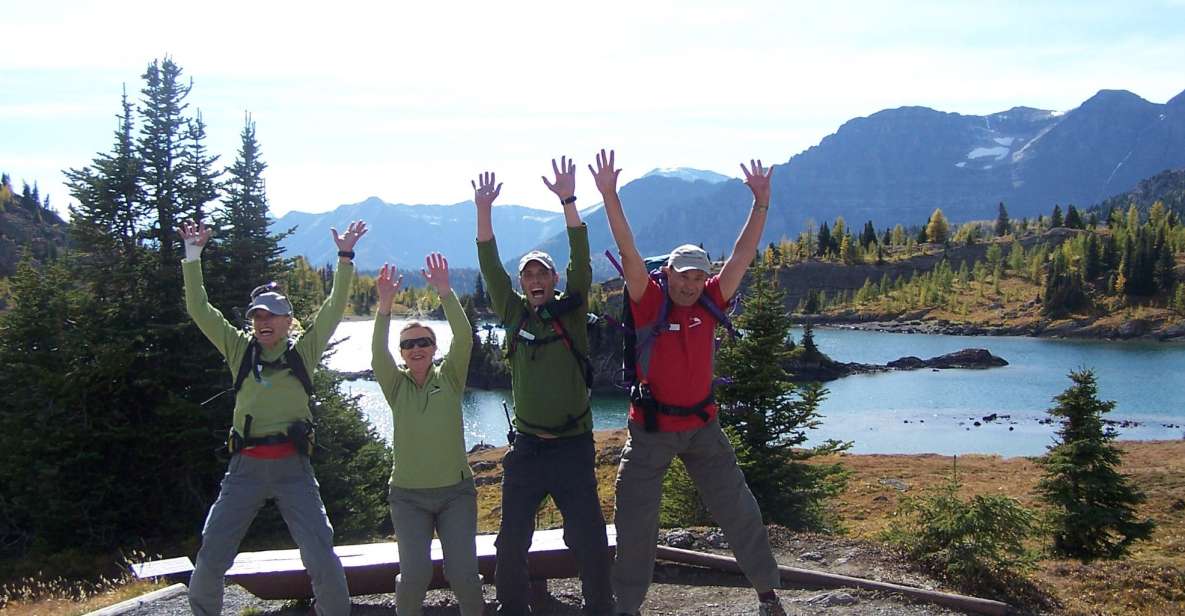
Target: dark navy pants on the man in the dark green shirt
[{"x": 565, "y": 469}]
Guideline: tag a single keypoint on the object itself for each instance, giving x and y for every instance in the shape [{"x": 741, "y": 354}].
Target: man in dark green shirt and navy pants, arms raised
[{"x": 553, "y": 453}]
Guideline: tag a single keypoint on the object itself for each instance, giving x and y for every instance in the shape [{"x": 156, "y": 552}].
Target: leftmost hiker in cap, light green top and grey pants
[{"x": 271, "y": 439}]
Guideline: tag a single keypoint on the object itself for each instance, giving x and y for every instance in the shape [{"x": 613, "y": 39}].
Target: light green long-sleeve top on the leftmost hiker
[{"x": 278, "y": 400}]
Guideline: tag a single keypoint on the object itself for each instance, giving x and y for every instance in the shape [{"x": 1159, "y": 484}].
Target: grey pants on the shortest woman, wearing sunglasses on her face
[{"x": 452, "y": 512}]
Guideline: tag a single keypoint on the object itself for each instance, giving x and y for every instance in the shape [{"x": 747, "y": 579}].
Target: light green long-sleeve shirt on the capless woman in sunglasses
[{"x": 430, "y": 438}]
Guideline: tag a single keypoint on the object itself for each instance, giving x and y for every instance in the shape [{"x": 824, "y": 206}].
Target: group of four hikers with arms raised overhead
[{"x": 432, "y": 491}]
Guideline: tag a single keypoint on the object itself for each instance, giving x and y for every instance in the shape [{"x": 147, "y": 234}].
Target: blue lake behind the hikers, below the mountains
[{"x": 900, "y": 413}]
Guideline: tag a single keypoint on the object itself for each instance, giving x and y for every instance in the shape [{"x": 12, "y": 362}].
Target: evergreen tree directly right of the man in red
[{"x": 771, "y": 416}]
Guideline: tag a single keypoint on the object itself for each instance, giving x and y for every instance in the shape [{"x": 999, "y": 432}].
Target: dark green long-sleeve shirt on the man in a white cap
[{"x": 548, "y": 381}]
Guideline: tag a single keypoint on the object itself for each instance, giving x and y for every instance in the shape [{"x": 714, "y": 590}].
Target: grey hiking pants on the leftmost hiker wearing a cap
[{"x": 247, "y": 486}]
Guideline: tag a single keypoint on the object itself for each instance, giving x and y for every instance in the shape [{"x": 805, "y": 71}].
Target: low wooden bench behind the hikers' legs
[{"x": 370, "y": 568}]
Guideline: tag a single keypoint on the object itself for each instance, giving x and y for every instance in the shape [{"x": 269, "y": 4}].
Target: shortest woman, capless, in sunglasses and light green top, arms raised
[{"x": 432, "y": 484}]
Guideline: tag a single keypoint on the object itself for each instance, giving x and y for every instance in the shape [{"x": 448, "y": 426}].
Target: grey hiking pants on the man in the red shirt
[{"x": 713, "y": 465}]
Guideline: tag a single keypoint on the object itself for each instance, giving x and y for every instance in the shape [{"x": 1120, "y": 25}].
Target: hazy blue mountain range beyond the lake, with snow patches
[{"x": 894, "y": 166}]
